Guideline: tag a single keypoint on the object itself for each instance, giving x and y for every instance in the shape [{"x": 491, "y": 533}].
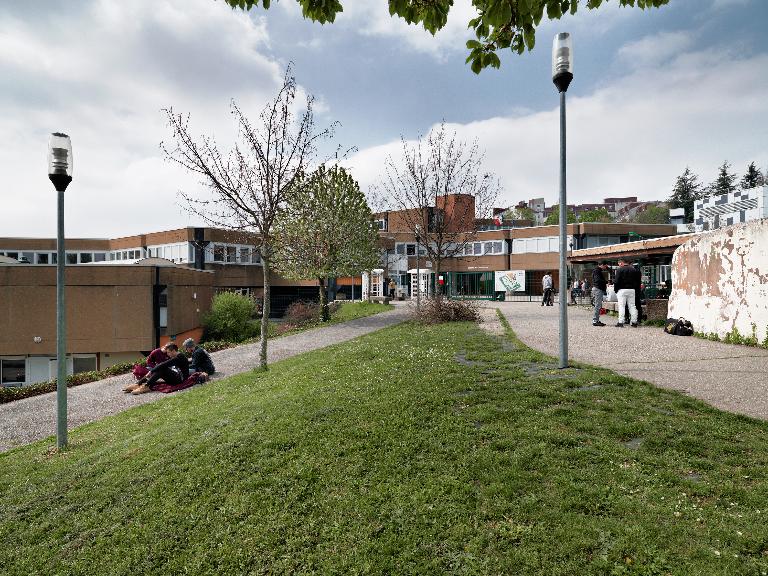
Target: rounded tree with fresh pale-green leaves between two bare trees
[{"x": 325, "y": 231}]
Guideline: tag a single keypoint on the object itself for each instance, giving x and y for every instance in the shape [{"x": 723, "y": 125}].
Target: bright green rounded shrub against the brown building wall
[{"x": 231, "y": 318}]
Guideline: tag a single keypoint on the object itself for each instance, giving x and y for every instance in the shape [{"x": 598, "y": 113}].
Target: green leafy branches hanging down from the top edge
[{"x": 497, "y": 24}]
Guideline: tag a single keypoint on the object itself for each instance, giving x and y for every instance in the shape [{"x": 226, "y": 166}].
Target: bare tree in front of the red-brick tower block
[{"x": 440, "y": 189}]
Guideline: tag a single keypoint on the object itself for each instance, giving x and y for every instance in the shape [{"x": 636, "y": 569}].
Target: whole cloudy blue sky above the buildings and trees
[{"x": 654, "y": 92}]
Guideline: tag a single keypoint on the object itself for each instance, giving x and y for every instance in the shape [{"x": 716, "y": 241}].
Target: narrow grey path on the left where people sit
[{"x": 31, "y": 419}]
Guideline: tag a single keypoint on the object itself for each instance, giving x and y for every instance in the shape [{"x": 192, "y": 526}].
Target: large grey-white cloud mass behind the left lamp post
[{"x": 106, "y": 89}]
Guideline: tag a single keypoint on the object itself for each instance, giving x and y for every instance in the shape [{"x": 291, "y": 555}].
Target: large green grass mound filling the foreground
[{"x": 414, "y": 450}]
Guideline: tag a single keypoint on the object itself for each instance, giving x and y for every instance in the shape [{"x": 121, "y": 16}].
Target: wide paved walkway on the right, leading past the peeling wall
[{"x": 730, "y": 377}]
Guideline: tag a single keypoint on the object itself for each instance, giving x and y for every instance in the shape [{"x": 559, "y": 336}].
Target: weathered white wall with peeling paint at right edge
[{"x": 720, "y": 280}]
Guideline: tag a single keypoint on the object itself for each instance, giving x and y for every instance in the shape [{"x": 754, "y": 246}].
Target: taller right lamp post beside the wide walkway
[{"x": 562, "y": 74}]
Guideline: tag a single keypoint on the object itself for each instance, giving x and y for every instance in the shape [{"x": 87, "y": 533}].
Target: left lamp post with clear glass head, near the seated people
[{"x": 60, "y": 173}]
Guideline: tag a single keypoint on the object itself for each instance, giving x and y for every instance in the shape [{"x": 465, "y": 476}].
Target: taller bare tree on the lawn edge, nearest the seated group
[{"x": 249, "y": 184}]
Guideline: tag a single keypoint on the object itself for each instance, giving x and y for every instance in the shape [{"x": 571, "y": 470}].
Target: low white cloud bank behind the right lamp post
[{"x": 630, "y": 138}]
